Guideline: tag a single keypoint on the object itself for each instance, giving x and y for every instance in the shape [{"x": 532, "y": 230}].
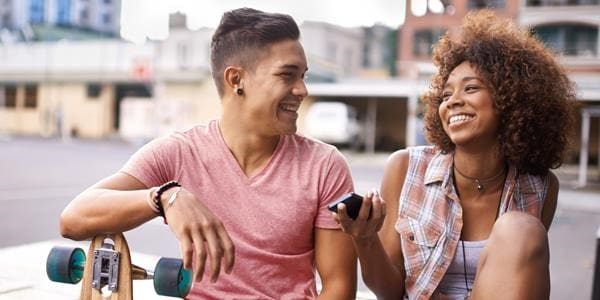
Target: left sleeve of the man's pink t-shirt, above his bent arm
[{"x": 155, "y": 163}]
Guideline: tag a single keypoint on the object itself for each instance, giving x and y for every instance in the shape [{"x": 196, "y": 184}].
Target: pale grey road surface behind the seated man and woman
[{"x": 38, "y": 177}]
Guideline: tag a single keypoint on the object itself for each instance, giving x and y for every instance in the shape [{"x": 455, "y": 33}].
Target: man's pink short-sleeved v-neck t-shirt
[{"x": 270, "y": 217}]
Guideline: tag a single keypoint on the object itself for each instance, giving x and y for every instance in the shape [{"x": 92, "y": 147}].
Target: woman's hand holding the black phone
[{"x": 370, "y": 217}]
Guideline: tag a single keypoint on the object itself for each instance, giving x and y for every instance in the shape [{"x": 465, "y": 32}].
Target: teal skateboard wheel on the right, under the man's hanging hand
[{"x": 171, "y": 279}]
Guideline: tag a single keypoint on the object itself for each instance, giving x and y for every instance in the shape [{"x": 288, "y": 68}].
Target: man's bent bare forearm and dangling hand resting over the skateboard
[{"x": 120, "y": 203}]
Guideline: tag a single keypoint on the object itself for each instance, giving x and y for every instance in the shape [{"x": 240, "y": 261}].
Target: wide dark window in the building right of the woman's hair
[{"x": 570, "y": 39}]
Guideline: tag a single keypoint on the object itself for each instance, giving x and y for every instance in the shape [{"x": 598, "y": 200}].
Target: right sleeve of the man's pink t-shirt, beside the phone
[{"x": 336, "y": 181}]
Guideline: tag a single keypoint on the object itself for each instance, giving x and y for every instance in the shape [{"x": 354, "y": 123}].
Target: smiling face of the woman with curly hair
[{"x": 467, "y": 110}]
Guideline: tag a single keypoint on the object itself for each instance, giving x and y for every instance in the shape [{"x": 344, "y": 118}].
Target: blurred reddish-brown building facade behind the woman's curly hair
[{"x": 569, "y": 27}]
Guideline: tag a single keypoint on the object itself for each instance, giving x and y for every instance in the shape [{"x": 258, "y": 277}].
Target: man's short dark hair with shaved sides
[{"x": 243, "y": 36}]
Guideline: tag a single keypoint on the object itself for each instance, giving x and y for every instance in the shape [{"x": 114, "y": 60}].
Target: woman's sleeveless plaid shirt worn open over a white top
[{"x": 430, "y": 216}]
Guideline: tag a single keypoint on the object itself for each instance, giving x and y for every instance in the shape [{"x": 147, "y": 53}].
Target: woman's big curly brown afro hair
[{"x": 535, "y": 99}]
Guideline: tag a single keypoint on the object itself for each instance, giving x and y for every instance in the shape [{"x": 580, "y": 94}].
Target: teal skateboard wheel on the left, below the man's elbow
[{"x": 65, "y": 264}]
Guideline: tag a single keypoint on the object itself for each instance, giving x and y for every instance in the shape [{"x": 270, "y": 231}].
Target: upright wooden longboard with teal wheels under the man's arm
[{"x": 108, "y": 272}]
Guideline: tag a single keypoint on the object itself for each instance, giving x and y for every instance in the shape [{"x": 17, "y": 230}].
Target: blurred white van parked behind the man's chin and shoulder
[{"x": 333, "y": 123}]
